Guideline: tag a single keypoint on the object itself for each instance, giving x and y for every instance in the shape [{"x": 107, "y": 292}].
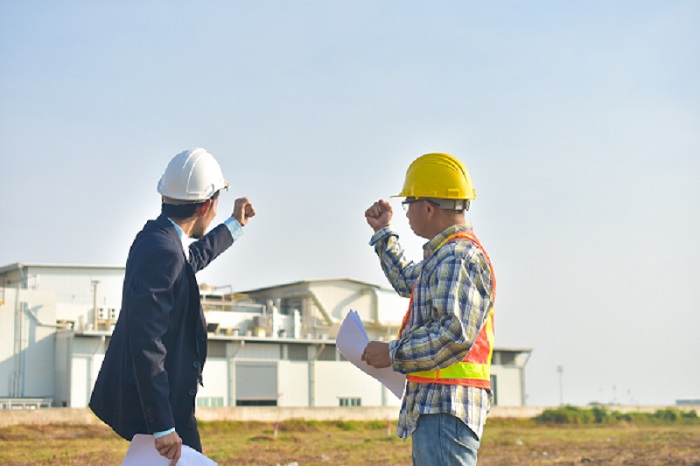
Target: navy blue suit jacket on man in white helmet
[{"x": 154, "y": 361}]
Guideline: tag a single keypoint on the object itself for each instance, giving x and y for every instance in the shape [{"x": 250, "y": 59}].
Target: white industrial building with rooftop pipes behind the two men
[{"x": 272, "y": 346}]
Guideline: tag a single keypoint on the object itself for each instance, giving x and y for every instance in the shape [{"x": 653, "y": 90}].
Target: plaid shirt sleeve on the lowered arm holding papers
[{"x": 450, "y": 306}]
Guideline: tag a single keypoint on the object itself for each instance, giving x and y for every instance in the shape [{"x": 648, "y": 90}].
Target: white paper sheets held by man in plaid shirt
[{"x": 351, "y": 342}]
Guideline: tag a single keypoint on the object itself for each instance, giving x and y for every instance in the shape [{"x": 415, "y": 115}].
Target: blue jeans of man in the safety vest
[{"x": 443, "y": 440}]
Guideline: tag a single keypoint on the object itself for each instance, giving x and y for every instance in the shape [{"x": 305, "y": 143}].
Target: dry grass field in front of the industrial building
[{"x": 505, "y": 442}]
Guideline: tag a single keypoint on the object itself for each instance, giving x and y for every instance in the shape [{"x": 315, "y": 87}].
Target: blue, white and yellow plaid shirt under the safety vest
[{"x": 450, "y": 305}]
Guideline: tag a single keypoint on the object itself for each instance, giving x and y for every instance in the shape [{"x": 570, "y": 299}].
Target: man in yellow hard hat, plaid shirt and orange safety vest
[{"x": 445, "y": 342}]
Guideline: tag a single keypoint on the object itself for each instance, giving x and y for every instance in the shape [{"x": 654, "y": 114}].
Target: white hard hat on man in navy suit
[{"x": 192, "y": 175}]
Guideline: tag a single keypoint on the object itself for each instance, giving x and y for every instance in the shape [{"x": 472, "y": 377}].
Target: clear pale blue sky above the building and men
[{"x": 579, "y": 122}]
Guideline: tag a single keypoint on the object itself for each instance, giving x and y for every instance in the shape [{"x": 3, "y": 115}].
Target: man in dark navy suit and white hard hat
[{"x": 149, "y": 377}]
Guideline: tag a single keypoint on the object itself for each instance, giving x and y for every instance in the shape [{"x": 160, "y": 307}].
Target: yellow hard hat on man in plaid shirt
[{"x": 438, "y": 176}]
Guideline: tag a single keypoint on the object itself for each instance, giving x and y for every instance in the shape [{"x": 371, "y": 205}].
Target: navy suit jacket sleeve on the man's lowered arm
[{"x": 151, "y": 300}]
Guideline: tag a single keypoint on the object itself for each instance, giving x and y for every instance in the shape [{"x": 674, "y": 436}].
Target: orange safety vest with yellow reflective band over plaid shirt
[{"x": 475, "y": 369}]
